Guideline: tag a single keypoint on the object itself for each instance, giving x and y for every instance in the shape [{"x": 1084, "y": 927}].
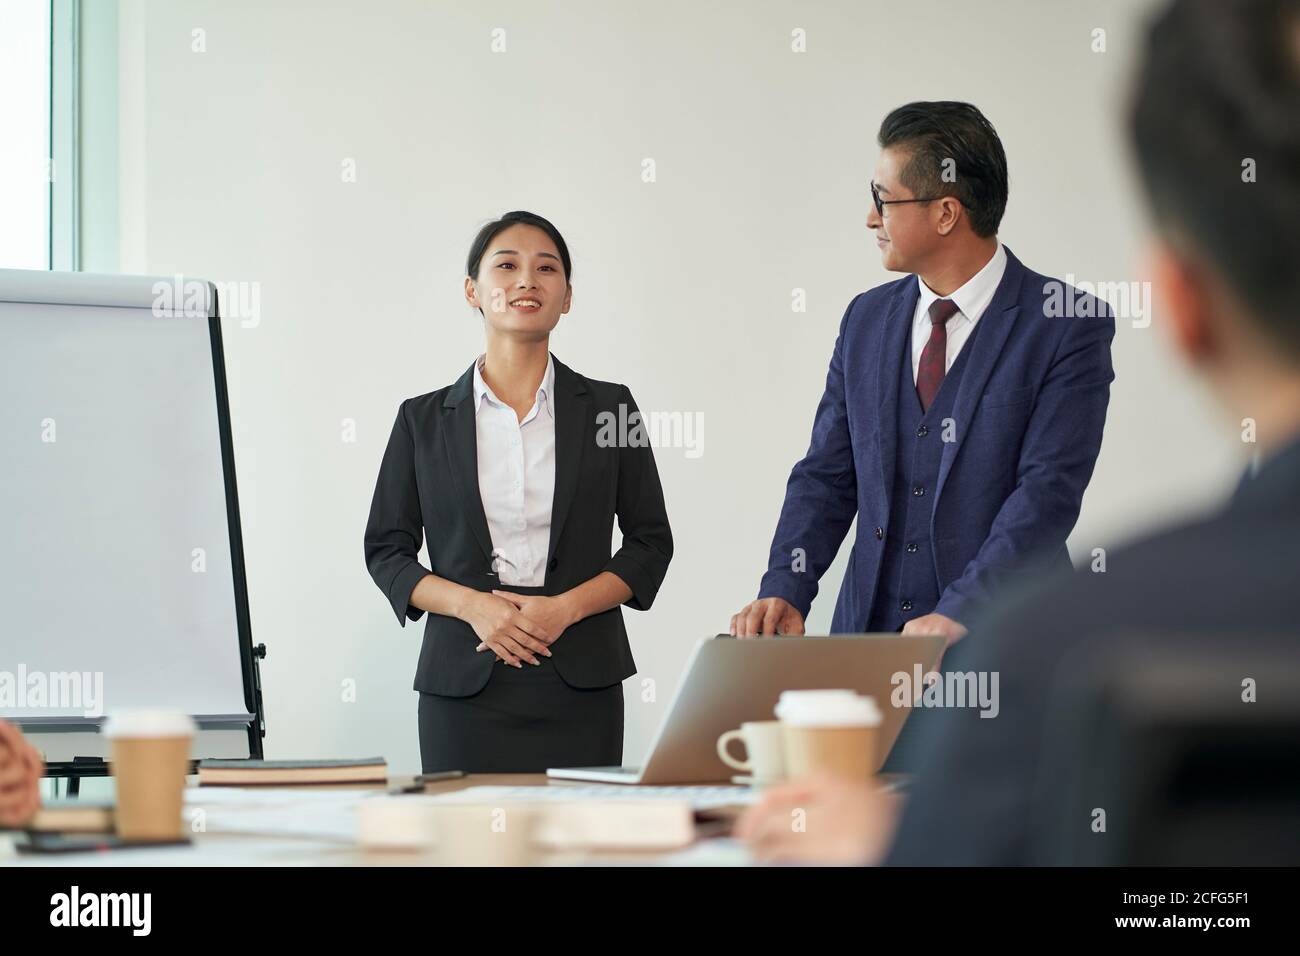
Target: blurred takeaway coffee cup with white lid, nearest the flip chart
[{"x": 150, "y": 760}]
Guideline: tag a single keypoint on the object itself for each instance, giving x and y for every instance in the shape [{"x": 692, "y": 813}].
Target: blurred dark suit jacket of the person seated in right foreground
[{"x": 1232, "y": 576}]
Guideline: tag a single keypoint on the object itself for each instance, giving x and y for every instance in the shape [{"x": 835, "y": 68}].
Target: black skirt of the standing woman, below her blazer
[{"x": 525, "y": 721}]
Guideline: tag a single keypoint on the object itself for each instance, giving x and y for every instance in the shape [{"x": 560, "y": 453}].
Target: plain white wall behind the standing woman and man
[{"x": 232, "y": 166}]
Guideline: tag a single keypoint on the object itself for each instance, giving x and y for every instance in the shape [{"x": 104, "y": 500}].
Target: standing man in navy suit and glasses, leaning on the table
[{"x": 963, "y": 412}]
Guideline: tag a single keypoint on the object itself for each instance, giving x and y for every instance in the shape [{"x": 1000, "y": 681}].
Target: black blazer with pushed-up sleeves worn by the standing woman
[{"x": 428, "y": 487}]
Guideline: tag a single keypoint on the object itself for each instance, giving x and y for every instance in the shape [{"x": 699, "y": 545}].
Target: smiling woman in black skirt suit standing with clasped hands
[{"x": 515, "y": 477}]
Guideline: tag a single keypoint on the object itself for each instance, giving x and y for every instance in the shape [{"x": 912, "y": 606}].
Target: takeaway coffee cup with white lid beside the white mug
[{"x": 834, "y": 732}]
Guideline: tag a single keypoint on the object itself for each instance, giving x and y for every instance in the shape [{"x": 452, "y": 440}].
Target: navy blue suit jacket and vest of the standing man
[{"x": 955, "y": 500}]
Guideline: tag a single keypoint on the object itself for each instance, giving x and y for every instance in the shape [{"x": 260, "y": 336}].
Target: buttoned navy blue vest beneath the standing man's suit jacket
[{"x": 909, "y": 583}]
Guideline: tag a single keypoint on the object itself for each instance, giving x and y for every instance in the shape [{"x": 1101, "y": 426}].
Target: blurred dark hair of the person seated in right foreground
[{"x": 1216, "y": 128}]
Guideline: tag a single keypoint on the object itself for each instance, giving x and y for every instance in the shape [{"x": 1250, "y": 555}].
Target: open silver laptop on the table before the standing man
[{"x": 731, "y": 681}]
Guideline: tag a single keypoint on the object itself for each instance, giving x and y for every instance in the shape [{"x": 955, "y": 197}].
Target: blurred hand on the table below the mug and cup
[{"x": 822, "y": 820}]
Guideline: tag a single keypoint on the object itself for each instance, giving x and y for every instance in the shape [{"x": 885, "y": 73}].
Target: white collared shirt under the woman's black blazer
[{"x": 517, "y": 478}]
